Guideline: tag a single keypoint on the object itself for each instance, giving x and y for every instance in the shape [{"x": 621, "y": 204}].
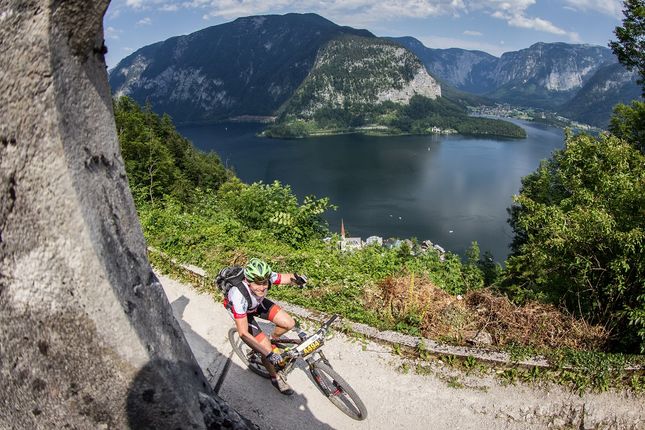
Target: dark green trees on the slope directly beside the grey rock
[{"x": 158, "y": 160}]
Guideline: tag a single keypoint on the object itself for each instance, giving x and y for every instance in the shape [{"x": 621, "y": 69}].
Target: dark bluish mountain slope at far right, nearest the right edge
[{"x": 594, "y": 102}]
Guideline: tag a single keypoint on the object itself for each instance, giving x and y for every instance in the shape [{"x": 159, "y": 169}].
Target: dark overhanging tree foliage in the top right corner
[{"x": 630, "y": 46}]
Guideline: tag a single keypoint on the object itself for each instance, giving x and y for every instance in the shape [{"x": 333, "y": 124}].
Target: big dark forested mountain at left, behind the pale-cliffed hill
[{"x": 249, "y": 66}]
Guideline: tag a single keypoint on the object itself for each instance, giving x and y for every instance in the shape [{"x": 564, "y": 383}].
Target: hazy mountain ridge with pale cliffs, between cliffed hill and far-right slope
[{"x": 544, "y": 75}]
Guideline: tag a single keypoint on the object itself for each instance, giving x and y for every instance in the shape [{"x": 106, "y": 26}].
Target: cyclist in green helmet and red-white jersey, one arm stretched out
[{"x": 258, "y": 277}]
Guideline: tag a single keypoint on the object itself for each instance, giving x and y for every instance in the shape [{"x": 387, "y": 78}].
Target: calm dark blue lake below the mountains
[{"x": 449, "y": 189}]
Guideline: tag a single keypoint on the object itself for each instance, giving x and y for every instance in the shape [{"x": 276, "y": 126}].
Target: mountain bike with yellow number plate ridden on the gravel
[{"x": 332, "y": 385}]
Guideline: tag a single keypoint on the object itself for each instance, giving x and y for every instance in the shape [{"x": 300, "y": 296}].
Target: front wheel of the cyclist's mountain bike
[{"x": 338, "y": 391}]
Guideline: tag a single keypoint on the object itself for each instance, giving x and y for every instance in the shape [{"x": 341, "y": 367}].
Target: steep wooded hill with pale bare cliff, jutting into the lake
[{"x": 375, "y": 86}]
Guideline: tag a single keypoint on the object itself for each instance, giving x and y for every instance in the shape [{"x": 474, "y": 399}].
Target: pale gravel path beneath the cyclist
[{"x": 443, "y": 398}]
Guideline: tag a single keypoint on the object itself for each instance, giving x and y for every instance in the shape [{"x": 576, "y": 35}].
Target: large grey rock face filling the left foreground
[{"x": 87, "y": 337}]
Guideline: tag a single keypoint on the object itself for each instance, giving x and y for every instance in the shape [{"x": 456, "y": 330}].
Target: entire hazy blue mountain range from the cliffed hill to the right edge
[{"x": 581, "y": 82}]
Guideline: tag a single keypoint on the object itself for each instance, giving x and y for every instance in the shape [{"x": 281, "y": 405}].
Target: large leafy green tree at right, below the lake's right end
[{"x": 580, "y": 229}]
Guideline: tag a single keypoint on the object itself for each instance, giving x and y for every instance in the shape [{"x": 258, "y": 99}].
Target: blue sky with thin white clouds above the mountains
[{"x": 493, "y": 26}]
